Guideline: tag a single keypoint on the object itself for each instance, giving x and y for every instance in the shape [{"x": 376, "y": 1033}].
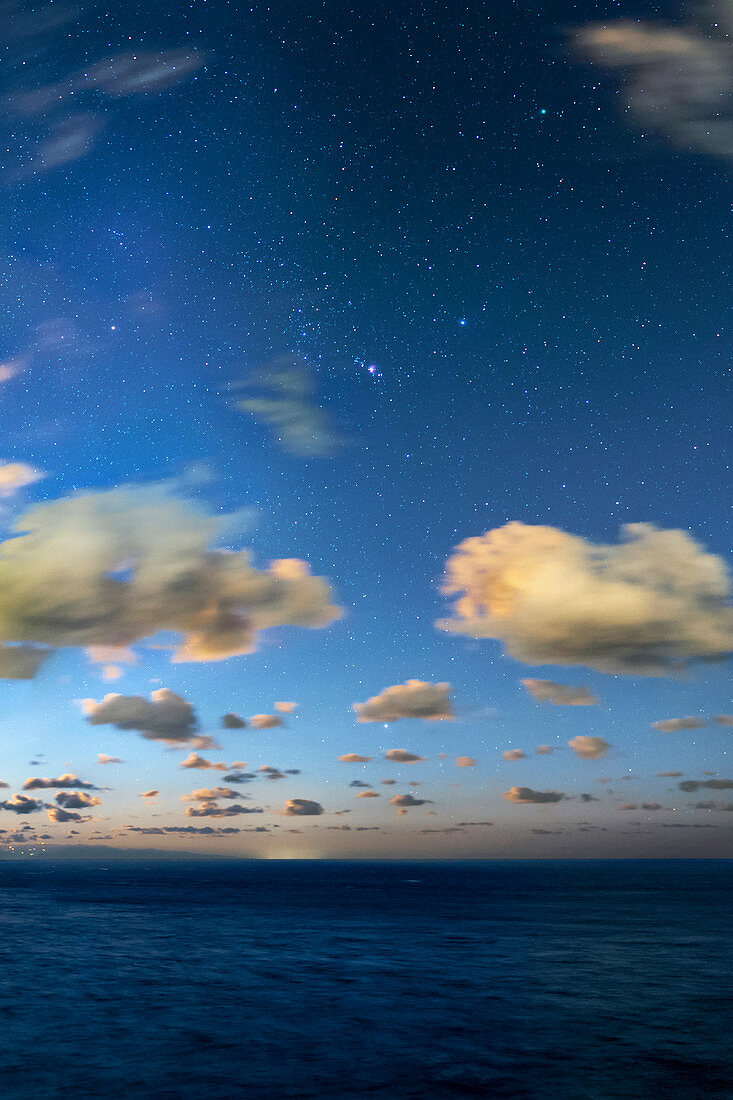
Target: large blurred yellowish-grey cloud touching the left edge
[{"x": 116, "y": 567}]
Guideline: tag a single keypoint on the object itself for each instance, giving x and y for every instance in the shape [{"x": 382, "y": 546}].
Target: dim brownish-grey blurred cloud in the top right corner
[{"x": 680, "y": 79}]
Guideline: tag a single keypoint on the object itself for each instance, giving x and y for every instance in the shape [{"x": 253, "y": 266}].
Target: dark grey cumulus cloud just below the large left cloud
[{"x": 168, "y": 718}]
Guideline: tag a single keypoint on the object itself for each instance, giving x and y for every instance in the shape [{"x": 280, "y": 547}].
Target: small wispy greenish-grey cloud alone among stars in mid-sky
[{"x": 297, "y": 424}]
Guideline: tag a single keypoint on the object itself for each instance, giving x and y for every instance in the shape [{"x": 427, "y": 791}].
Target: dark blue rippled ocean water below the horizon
[{"x": 554, "y": 980}]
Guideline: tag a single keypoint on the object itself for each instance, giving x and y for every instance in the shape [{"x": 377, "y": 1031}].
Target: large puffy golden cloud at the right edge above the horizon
[{"x": 644, "y": 608}]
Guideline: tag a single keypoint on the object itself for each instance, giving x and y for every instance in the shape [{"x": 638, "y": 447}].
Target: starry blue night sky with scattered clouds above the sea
[{"x": 338, "y": 289}]
